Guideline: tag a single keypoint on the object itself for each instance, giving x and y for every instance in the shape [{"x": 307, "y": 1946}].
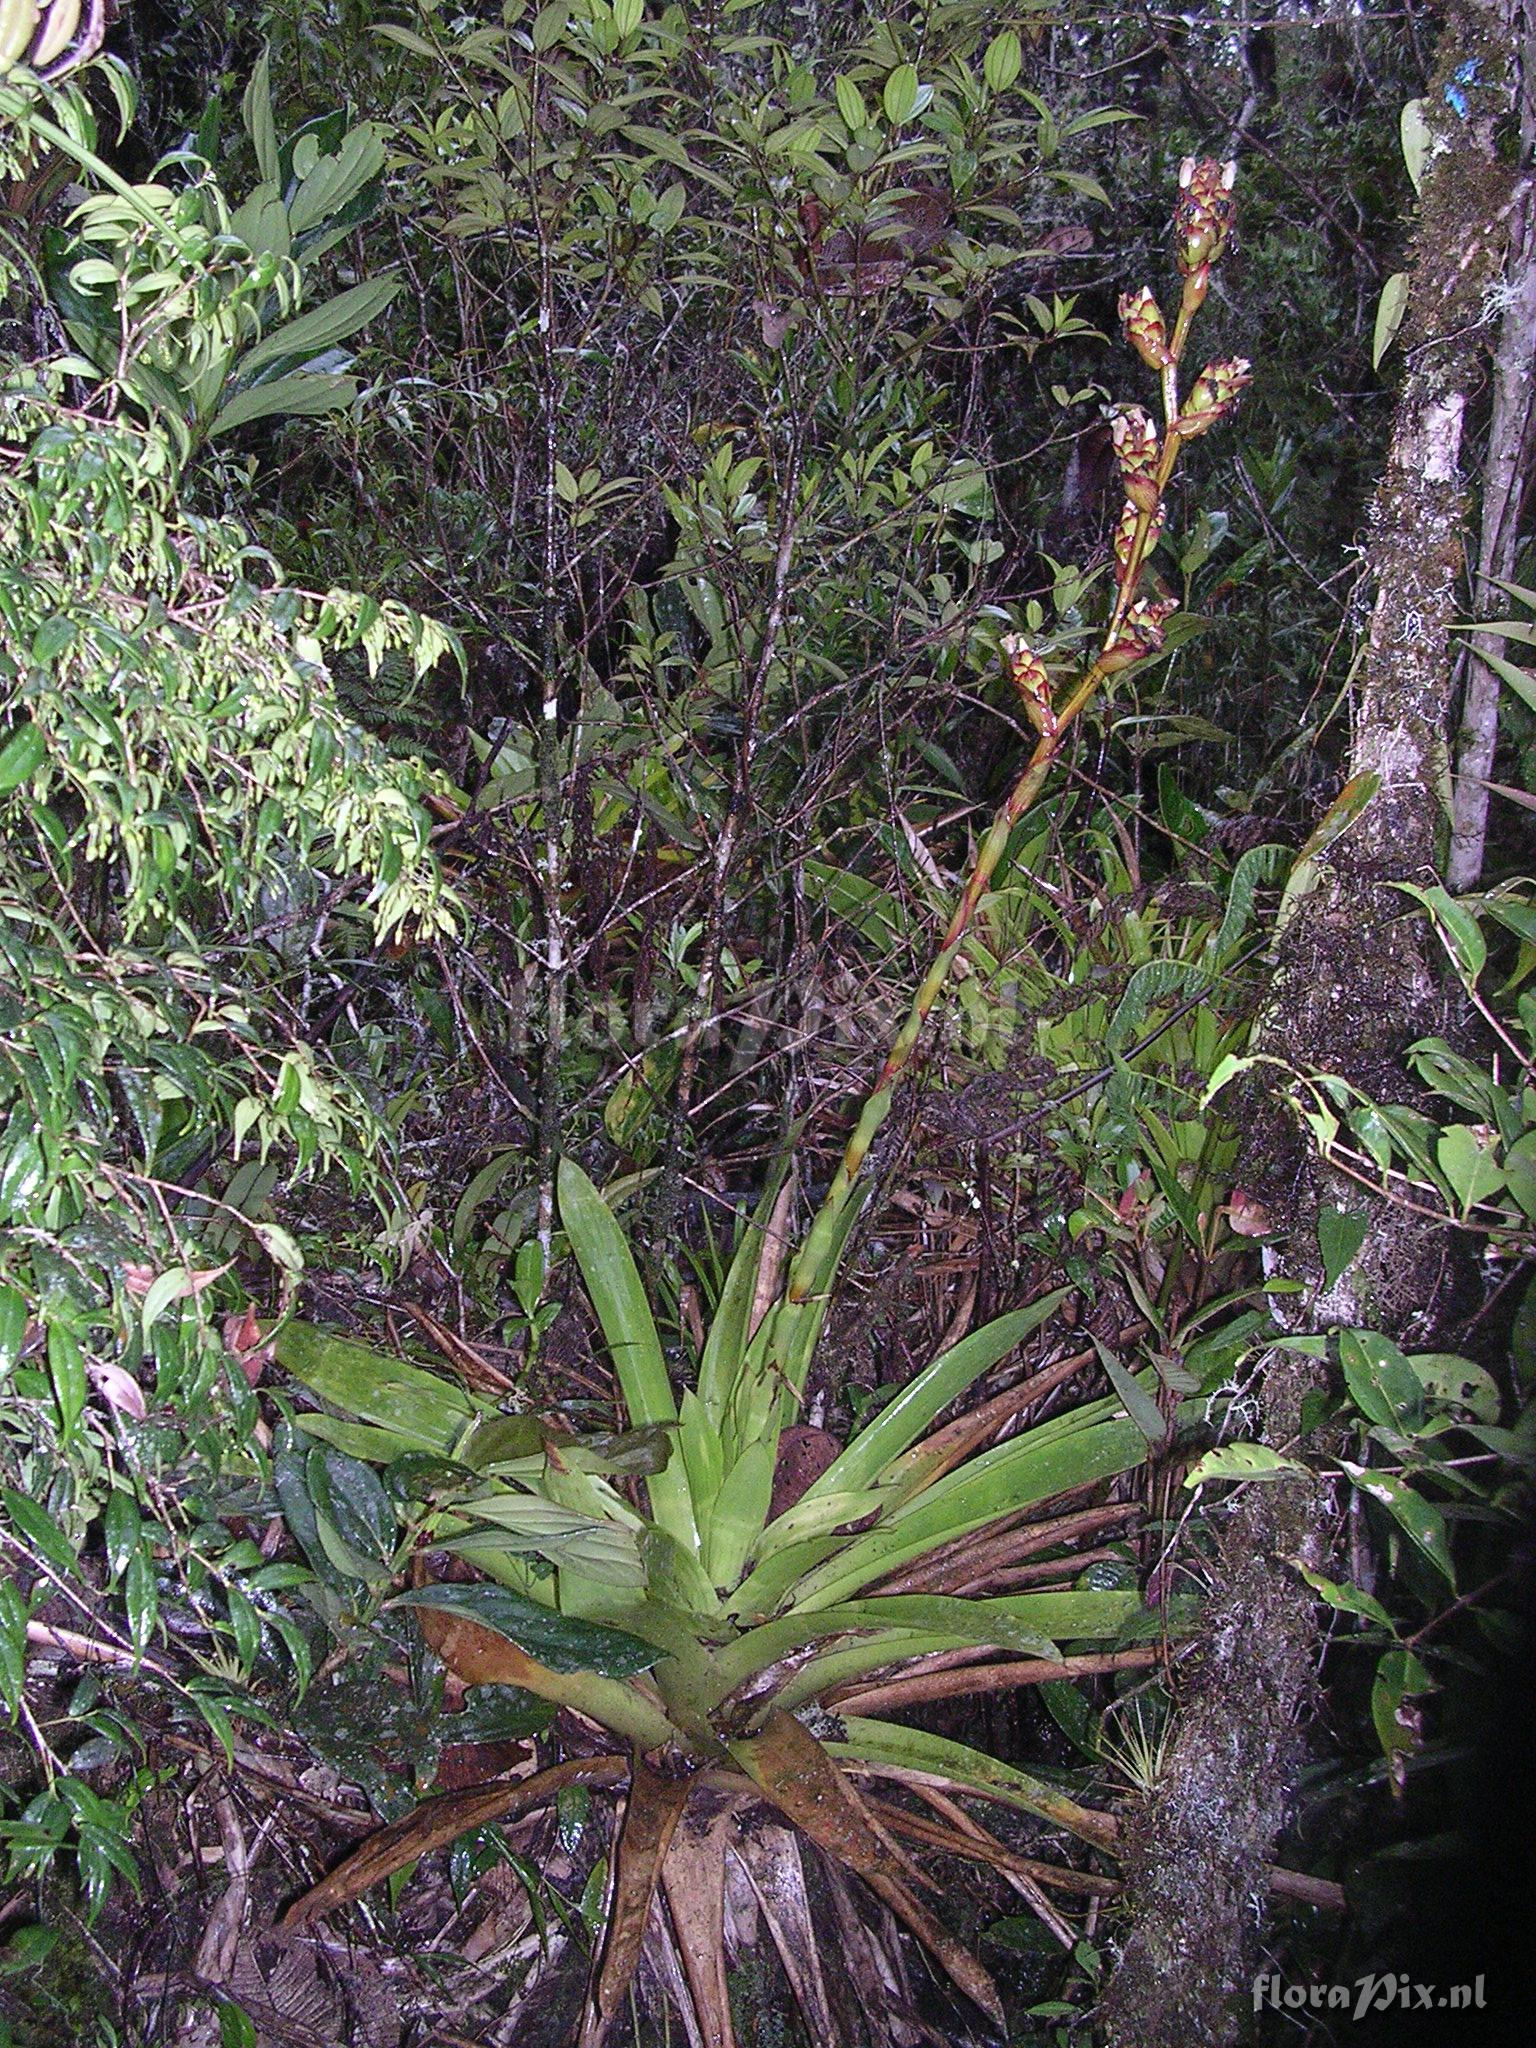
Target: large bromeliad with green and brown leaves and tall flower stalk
[{"x": 718, "y": 1635}]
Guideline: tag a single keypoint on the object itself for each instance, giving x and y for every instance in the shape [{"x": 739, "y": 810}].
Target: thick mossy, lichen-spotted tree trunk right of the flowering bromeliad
[{"x": 1355, "y": 986}]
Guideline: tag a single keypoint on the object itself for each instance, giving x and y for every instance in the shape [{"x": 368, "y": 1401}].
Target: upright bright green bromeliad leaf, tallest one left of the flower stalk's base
[{"x": 630, "y": 1332}]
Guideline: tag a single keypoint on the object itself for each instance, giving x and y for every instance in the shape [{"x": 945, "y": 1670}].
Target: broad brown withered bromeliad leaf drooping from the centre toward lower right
[{"x": 806, "y": 1785}]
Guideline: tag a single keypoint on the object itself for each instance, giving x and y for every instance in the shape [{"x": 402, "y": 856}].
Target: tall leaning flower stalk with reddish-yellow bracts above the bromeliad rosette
[{"x": 1134, "y": 634}]
